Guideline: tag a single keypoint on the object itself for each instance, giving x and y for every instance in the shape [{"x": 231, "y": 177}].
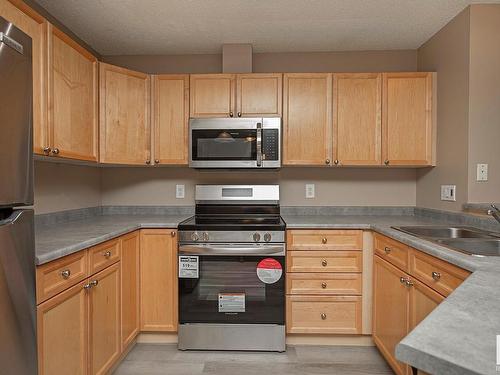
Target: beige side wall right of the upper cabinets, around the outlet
[{"x": 447, "y": 53}]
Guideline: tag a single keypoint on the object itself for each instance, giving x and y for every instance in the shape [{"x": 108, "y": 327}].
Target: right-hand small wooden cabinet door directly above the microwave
[{"x": 259, "y": 94}]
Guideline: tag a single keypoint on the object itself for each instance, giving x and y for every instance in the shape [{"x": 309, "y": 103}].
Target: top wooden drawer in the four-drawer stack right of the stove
[{"x": 302, "y": 239}]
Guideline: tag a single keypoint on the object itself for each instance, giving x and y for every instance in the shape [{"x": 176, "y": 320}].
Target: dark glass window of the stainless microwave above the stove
[{"x": 224, "y": 144}]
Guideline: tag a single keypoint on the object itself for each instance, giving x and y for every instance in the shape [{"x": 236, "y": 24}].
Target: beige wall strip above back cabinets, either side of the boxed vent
[{"x": 357, "y": 61}]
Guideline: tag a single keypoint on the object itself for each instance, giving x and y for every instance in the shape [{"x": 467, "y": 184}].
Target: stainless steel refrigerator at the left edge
[{"x": 18, "y": 354}]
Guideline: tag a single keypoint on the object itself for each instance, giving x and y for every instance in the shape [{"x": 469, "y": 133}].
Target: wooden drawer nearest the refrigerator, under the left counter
[{"x": 58, "y": 275}]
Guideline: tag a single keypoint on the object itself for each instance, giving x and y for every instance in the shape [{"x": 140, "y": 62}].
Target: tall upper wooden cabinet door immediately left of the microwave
[{"x": 170, "y": 118}]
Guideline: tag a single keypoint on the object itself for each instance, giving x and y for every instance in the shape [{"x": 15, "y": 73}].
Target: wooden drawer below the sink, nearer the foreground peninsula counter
[{"x": 441, "y": 276}]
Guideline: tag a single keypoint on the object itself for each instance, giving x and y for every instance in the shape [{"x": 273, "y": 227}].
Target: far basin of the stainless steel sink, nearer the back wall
[{"x": 444, "y": 232}]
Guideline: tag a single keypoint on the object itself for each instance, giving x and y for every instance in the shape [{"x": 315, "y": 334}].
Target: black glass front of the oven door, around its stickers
[{"x": 228, "y": 290}]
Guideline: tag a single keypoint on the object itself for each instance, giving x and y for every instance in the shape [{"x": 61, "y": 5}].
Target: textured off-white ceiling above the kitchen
[{"x": 133, "y": 27}]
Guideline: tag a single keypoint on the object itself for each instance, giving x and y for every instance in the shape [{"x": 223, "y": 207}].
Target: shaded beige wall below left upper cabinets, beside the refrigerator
[{"x": 61, "y": 187}]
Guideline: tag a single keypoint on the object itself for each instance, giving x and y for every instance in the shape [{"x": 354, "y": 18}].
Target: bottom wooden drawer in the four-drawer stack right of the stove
[{"x": 321, "y": 314}]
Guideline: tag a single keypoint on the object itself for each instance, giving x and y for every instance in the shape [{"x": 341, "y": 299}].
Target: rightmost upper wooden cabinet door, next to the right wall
[{"x": 407, "y": 119}]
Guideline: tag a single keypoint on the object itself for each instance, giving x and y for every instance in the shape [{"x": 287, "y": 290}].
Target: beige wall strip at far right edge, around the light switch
[{"x": 484, "y": 101}]
